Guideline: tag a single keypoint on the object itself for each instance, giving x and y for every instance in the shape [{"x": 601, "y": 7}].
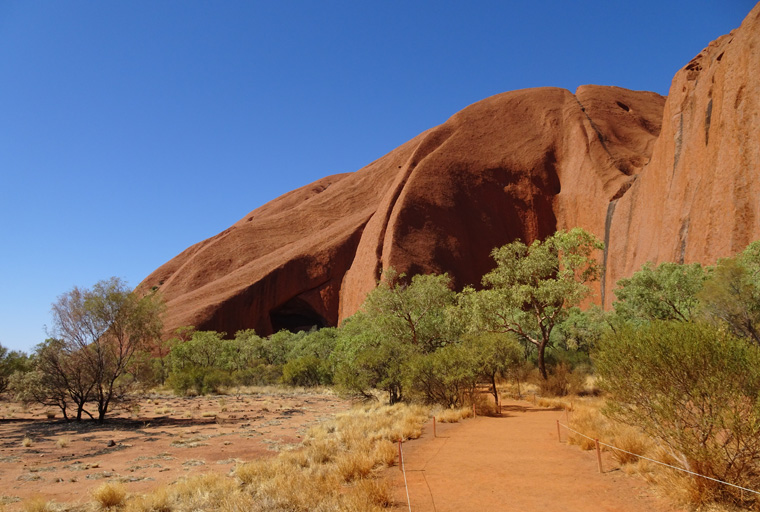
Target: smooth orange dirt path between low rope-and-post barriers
[{"x": 513, "y": 463}]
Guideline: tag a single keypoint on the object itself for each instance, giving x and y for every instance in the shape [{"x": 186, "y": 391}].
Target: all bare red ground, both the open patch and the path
[{"x": 508, "y": 463}]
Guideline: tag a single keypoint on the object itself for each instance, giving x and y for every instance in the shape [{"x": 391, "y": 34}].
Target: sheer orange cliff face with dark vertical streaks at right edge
[{"x": 697, "y": 200}]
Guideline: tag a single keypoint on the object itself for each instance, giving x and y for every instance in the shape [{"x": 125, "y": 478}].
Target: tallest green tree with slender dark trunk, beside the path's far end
[{"x": 532, "y": 287}]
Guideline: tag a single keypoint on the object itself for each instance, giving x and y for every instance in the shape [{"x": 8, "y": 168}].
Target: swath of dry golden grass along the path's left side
[{"x": 333, "y": 469}]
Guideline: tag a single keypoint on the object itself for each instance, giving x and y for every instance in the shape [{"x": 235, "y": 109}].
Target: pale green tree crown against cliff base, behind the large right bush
[{"x": 666, "y": 292}]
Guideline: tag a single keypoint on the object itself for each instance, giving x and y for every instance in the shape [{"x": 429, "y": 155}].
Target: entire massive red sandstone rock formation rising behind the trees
[{"x": 658, "y": 180}]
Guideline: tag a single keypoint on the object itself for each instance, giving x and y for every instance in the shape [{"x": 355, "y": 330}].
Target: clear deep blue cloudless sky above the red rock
[{"x": 132, "y": 130}]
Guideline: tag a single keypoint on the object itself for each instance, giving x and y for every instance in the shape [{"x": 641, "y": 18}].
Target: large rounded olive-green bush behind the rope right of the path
[{"x": 693, "y": 387}]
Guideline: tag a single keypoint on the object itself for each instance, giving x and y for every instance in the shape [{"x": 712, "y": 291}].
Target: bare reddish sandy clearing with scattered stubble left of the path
[{"x": 168, "y": 438}]
